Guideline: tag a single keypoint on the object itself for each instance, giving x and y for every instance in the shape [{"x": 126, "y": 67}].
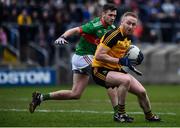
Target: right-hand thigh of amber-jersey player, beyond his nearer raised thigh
[{"x": 135, "y": 86}]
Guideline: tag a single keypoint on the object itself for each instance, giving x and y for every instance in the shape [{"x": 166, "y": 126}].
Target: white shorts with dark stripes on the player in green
[{"x": 79, "y": 63}]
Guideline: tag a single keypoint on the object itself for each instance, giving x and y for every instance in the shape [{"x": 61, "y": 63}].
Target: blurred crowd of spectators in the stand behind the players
[{"x": 28, "y": 28}]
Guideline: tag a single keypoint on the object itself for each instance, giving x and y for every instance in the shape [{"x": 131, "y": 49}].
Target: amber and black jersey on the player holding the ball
[{"x": 117, "y": 43}]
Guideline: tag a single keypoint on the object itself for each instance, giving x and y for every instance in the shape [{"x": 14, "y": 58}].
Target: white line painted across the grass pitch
[{"x": 84, "y": 111}]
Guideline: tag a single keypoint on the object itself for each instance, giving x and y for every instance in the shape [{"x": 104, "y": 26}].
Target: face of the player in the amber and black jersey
[{"x": 129, "y": 23}]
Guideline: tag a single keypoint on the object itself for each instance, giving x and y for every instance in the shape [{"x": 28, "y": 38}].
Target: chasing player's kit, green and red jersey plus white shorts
[{"x": 91, "y": 33}]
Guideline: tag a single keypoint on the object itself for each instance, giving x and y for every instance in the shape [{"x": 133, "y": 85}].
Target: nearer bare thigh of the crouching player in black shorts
[{"x": 117, "y": 78}]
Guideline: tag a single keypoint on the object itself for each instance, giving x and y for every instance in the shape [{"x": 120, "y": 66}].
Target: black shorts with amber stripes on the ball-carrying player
[{"x": 99, "y": 75}]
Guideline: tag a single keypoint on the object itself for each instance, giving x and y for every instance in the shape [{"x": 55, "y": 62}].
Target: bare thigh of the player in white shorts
[{"x": 80, "y": 82}]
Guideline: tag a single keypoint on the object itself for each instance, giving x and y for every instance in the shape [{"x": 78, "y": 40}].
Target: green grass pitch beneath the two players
[{"x": 92, "y": 110}]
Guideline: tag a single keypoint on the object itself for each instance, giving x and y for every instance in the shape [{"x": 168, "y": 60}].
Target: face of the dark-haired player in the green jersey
[{"x": 109, "y": 16}]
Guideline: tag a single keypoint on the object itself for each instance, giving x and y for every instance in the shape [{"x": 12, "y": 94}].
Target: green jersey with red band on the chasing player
[{"x": 91, "y": 34}]
